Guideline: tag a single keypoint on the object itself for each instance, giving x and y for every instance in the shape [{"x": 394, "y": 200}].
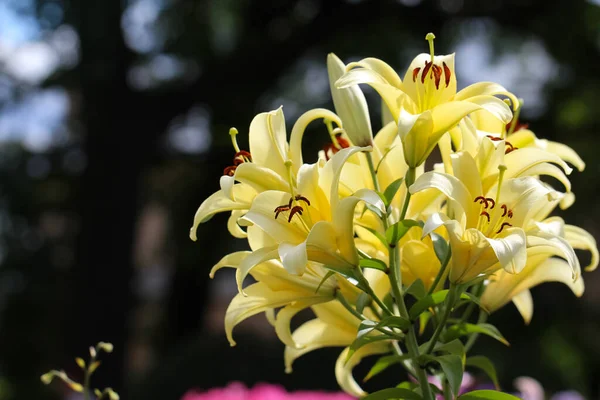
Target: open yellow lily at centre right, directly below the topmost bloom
[{"x": 484, "y": 229}]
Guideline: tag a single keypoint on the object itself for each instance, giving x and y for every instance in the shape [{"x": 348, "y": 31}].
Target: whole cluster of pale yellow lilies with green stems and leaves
[{"x": 399, "y": 256}]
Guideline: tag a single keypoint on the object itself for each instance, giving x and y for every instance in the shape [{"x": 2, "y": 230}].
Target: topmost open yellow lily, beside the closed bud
[{"x": 425, "y": 105}]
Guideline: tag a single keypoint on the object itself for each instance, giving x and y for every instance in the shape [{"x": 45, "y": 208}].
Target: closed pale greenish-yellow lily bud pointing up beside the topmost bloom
[{"x": 350, "y": 105}]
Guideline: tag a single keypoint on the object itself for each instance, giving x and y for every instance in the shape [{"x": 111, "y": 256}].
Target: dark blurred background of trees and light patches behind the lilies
[{"x": 113, "y": 129}]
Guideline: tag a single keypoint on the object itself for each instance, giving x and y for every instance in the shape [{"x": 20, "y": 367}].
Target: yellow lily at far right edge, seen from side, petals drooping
[{"x": 541, "y": 267}]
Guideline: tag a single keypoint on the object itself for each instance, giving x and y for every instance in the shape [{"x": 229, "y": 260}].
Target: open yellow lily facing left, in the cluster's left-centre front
[{"x": 315, "y": 224}]
